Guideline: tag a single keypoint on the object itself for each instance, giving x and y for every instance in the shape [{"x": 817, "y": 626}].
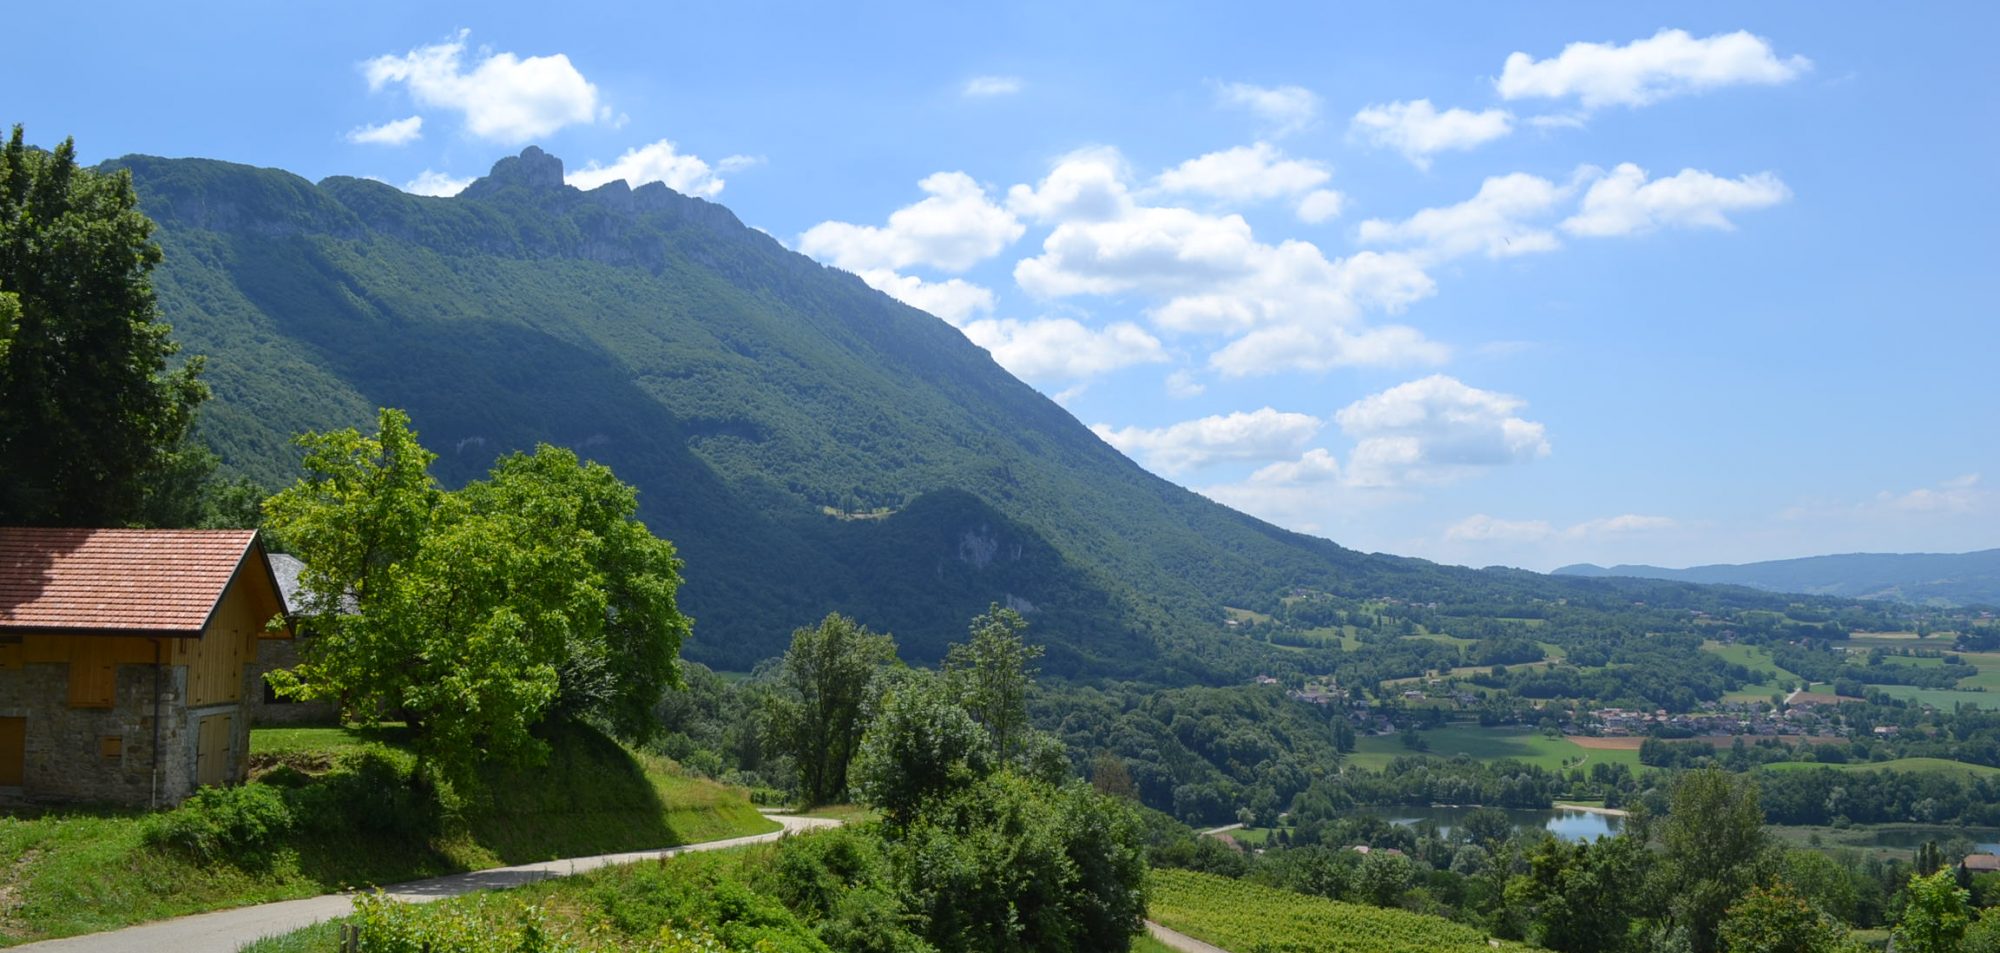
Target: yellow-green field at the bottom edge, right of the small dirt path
[{"x": 1245, "y": 918}]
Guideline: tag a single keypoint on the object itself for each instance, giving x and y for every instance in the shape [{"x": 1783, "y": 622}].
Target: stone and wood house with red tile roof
[{"x": 127, "y": 662}]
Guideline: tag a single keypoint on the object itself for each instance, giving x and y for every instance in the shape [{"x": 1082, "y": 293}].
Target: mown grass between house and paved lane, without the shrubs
[{"x": 83, "y": 872}]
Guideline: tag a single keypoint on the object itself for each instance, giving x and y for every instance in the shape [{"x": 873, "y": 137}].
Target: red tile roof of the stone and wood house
[{"x": 117, "y": 582}]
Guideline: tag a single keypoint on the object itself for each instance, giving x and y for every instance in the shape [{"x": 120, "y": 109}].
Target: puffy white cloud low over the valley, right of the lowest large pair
[{"x": 1433, "y": 431}]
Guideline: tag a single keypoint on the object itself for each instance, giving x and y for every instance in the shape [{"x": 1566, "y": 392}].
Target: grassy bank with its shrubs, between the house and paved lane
[{"x": 335, "y": 810}]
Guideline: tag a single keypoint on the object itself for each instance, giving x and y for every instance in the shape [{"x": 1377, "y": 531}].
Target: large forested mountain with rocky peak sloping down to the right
[{"x": 809, "y": 443}]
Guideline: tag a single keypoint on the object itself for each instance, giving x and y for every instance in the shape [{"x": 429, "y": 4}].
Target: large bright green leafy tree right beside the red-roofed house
[{"x": 473, "y": 616}]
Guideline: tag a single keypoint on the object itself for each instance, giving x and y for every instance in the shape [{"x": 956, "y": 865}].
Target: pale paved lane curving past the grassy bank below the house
[{"x": 229, "y": 930}]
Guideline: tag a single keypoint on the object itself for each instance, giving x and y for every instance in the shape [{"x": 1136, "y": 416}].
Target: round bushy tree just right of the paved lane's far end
[{"x": 919, "y": 746}]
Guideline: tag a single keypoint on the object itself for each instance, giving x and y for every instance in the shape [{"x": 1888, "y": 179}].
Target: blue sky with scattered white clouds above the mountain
[{"x": 1535, "y": 285}]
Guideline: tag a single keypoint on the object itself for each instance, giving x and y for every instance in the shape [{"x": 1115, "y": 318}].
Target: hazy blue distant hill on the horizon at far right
[{"x": 1911, "y": 578}]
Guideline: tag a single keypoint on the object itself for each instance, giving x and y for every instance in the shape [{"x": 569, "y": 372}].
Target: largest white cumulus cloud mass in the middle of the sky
[{"x": 1211, "y": 275}]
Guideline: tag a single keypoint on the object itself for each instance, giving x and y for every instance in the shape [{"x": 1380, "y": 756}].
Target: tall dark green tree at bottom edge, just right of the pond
[{"x": 1715, "y": 850}]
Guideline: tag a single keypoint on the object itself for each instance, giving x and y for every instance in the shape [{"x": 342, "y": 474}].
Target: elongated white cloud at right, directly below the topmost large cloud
[{"x": 1627, "y": 203}]
